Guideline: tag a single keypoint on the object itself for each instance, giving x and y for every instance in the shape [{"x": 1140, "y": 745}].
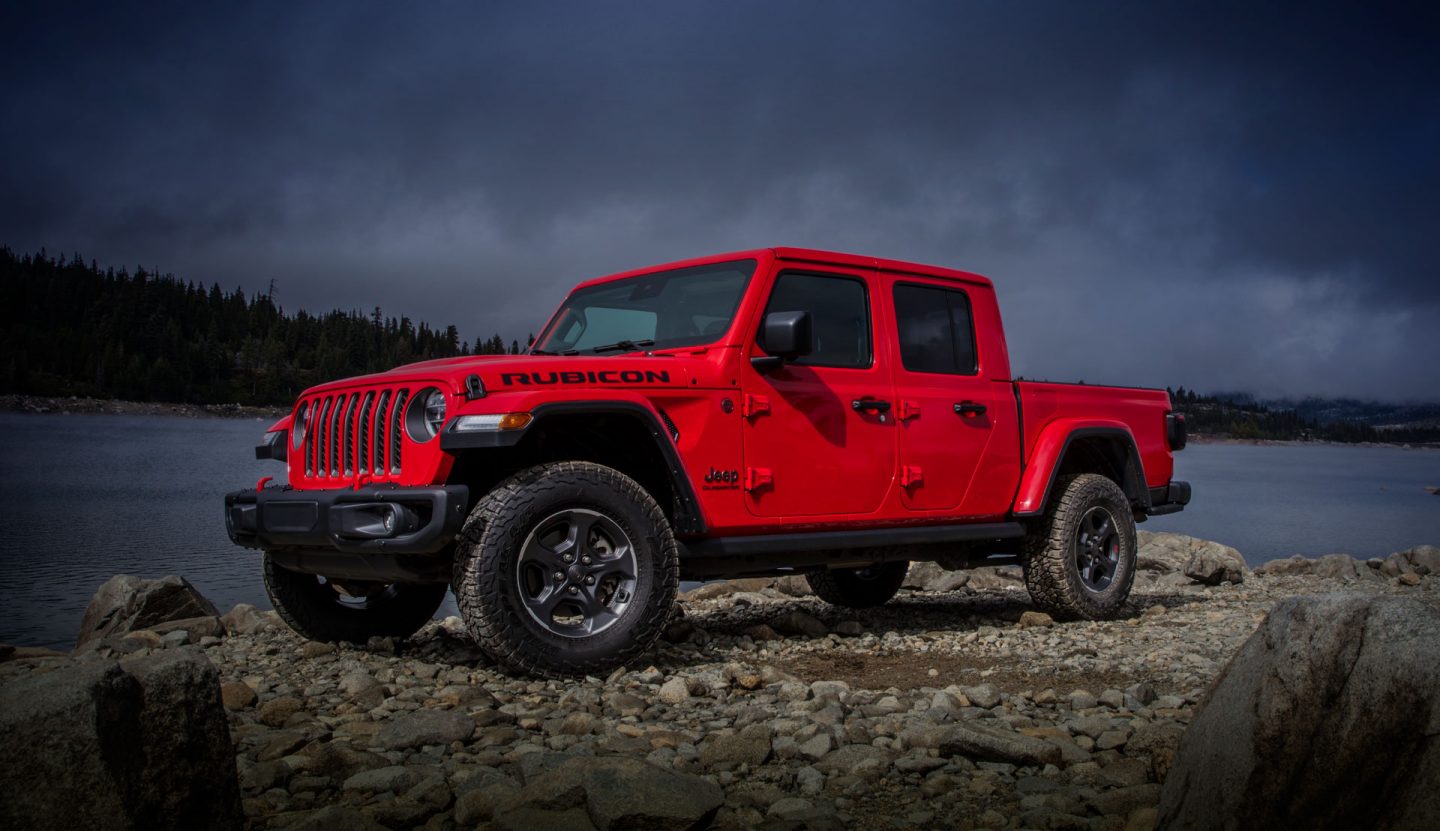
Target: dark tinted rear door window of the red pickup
[{"x": 937, "y": 329}]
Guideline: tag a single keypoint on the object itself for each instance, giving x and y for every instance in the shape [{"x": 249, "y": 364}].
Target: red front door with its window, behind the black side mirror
[{"x": 819, "y": 433}]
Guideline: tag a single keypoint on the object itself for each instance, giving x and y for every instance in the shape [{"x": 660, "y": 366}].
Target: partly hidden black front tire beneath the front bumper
[{"x": 318, "y": 611}]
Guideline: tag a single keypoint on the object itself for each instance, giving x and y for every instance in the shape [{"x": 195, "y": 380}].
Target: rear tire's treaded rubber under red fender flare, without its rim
[{"x": 1053, "y": 572}]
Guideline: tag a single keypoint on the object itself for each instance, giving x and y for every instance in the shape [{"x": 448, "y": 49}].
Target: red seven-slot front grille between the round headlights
[{"x": 355, "y": 434}]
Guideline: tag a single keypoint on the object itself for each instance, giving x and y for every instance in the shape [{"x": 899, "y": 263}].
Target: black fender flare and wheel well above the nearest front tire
[{"x": 616, "y": 440}]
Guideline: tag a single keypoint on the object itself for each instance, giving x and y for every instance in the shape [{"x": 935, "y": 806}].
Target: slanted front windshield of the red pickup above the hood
[{"x": 663, "y": 310}]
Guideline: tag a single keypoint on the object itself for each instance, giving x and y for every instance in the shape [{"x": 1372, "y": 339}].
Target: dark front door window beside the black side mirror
[{"x": 840, "y": 316}]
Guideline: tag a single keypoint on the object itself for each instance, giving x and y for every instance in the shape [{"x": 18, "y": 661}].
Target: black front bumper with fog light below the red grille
[{"x": 379, "y": 521}]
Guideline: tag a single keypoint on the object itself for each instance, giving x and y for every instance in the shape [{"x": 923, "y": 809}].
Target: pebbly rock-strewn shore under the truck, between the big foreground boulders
[{"x": 954, "y": 706}]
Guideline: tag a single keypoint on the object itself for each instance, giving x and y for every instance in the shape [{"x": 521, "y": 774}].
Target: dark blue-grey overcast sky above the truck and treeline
[{"x": 1223, "y": 198}]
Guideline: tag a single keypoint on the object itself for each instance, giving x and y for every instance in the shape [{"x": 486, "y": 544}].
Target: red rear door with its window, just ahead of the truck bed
[{"x": 944, "y": 408}]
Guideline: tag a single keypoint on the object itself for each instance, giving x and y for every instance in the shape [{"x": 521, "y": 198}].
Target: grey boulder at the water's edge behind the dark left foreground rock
[{"x": 126, "y": 604}]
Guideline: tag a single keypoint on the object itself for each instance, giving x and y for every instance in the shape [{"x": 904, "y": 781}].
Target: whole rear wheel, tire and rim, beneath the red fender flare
[{"x": 1081, "y": 560}]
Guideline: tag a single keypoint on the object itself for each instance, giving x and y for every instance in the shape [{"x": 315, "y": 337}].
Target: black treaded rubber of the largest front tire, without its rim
[{"x": 489, "y": 570}]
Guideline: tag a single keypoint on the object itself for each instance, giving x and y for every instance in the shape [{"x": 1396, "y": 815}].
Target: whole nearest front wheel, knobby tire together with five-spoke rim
[{"x": 567, "y": 570}]
